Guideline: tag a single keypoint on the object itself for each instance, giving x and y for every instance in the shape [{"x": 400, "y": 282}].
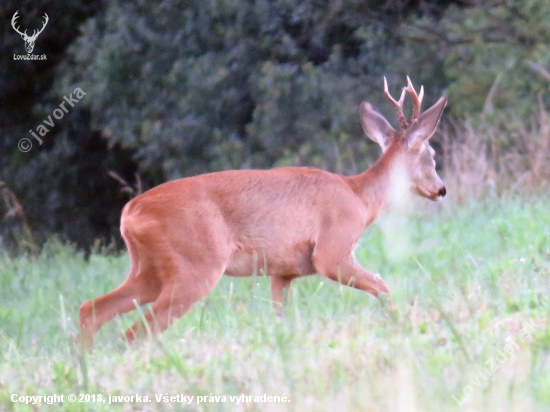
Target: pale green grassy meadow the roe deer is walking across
[{"x": 471, "y": 286}]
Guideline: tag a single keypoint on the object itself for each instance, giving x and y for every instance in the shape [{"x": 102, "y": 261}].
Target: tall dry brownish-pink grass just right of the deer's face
[{"x": 499, "y": 155}]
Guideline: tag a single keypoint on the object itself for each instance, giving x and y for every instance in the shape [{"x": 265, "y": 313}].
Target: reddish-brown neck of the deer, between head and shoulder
[{"x": 375, "y": 186}]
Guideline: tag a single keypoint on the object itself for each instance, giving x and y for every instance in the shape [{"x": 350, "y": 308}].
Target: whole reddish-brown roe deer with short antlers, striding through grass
[{"x": 184, "y": 234}]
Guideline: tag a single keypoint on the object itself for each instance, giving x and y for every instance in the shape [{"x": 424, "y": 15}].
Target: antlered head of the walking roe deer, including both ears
[{"x": 415, "y": 155}]
